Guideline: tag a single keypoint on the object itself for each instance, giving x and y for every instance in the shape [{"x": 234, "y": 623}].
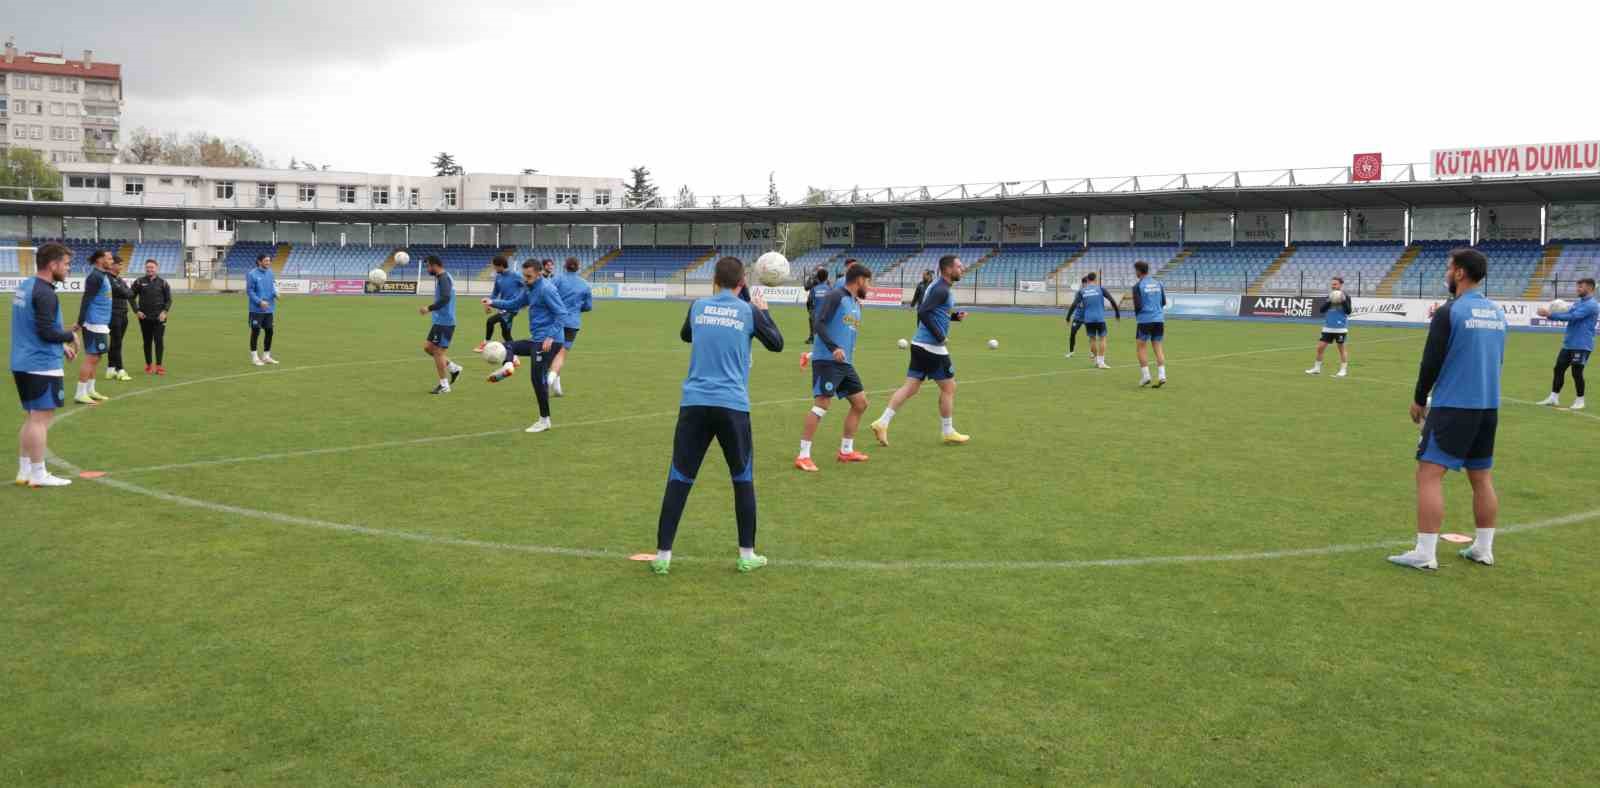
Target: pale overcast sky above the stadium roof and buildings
[{"x": 839, "y": 94}]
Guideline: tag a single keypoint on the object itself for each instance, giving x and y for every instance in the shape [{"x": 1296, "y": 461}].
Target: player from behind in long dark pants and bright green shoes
[{"x": 718, "y": 406}]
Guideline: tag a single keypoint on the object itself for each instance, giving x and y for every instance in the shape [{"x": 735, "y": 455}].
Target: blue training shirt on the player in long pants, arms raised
[{"x": 719, "y": 331}]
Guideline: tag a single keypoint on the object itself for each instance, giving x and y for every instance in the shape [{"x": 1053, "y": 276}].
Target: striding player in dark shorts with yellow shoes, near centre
[{"x": 930, "y": 356}]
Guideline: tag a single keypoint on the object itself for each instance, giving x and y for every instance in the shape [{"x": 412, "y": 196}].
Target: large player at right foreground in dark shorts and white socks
[{"x": 1462, "y": 369}]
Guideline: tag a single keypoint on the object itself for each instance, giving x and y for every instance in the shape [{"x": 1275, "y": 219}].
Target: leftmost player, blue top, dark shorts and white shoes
[{"x": 39, "y": 348}]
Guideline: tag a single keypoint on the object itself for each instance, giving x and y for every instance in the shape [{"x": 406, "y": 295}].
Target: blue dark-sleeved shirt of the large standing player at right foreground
[{"x": 1462, "y": 361}]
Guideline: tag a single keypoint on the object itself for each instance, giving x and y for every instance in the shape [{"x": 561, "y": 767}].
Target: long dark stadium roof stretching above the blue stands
[{"x": 1391, "y": 195}]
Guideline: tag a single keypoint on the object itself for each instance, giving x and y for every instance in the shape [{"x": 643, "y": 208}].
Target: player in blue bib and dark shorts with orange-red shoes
[{"x": 834, "y": 374}]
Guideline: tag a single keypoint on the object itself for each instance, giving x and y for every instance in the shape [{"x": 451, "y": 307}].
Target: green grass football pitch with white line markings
[{"x": 150, "y": 641}]
